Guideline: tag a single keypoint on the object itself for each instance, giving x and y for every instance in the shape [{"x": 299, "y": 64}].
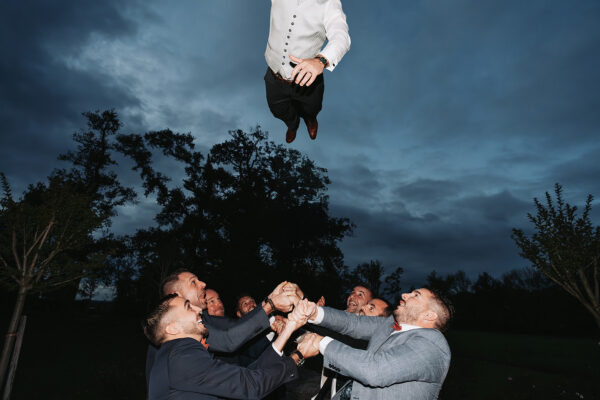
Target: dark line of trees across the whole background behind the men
[{"x": 244, "y": 216}]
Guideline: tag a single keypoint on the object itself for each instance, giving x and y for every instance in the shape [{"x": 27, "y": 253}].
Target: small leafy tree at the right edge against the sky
[{"x": 566, "y": 248}]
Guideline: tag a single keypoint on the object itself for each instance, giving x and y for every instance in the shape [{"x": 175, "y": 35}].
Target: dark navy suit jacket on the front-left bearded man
[{"x": 185, "y": 370}]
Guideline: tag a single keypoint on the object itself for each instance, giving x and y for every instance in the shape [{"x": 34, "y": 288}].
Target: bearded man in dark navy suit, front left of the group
[{"x": 184, "y": 370}]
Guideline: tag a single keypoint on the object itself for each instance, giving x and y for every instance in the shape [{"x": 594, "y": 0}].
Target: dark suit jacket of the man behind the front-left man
[{"x": 232, "y": 335}]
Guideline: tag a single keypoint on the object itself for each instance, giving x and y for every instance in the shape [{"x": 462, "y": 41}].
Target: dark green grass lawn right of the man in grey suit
[{"x": 508, "y": 366}]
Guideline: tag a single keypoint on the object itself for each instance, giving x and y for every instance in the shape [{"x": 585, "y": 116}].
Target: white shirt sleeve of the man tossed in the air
[{"x": 336, "y": 29}]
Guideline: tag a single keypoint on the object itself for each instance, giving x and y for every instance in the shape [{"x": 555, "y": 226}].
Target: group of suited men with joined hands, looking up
[{"x": 407, "y": 356}]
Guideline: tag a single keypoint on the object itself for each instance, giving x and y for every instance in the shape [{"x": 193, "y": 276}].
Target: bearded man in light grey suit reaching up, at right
[{"x": 407, "y": 356}]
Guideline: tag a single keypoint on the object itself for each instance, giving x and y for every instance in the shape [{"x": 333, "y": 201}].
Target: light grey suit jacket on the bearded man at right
[{"x": 407, "y": 365}]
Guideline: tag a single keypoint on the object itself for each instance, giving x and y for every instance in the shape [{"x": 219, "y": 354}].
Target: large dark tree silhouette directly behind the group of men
[{"x": 248, "y": 214}]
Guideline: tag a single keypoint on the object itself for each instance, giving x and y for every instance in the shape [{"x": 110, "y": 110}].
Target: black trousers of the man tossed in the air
[{"x": 290, "y": 102}]
